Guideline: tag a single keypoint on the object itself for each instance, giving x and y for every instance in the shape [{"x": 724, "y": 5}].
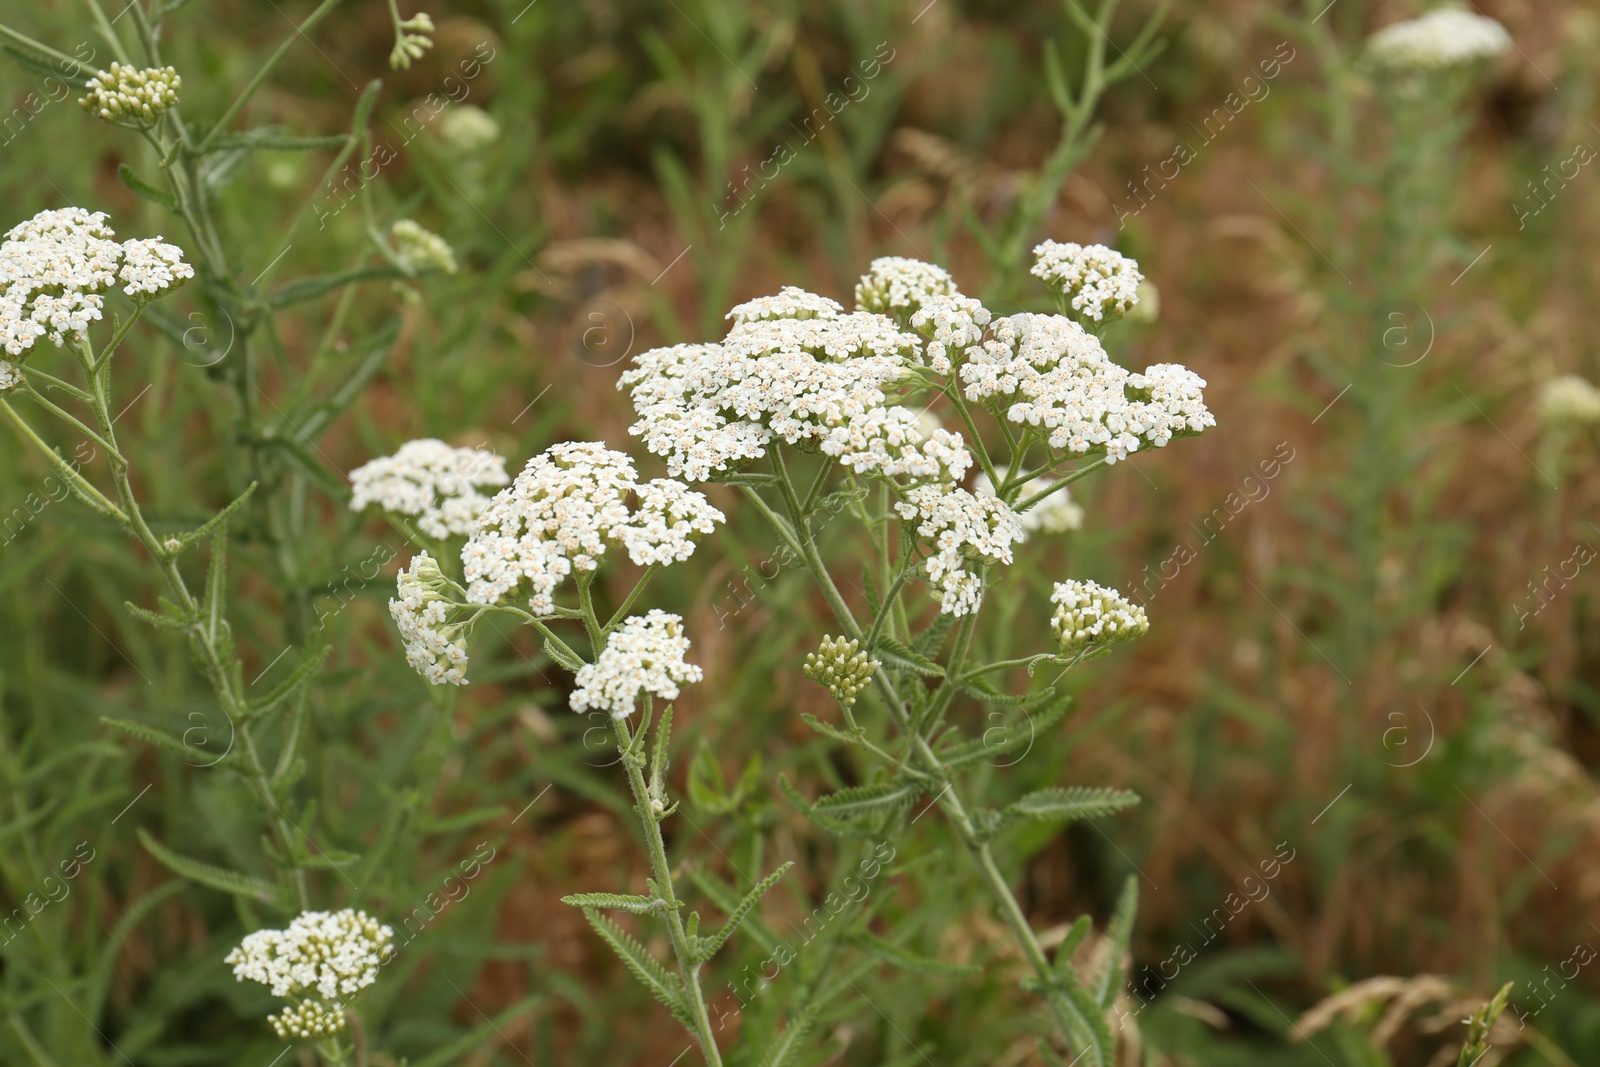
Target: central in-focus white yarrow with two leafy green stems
[{"x": 802, "y": 398}]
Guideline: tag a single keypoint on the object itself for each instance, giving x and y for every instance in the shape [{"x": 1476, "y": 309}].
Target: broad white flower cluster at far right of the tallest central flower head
[{"x": 1068, "y": 385}]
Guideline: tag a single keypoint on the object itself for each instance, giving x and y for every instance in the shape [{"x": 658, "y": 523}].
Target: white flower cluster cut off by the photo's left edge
[{"x": 57, "y": 268}]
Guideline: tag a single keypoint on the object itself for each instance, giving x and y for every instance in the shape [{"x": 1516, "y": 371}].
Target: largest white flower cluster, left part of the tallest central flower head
[{"x": 708, "y": 407}]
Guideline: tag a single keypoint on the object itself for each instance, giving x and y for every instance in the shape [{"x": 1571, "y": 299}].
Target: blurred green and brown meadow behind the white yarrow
[{"x": 1375, "y": 653}]
